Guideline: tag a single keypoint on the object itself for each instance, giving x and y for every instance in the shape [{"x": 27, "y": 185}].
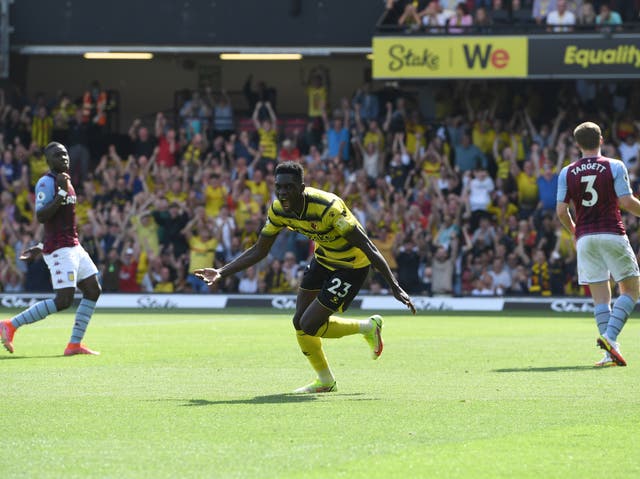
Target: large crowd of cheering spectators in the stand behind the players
[{"x": 456, "y": 186}]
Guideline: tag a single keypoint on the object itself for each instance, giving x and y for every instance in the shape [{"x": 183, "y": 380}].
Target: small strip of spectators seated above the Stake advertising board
[{"x": 495, "y": 16}]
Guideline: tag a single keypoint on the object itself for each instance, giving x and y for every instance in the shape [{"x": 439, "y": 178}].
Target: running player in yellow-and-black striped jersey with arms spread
[{"x": 342, "y": 258}]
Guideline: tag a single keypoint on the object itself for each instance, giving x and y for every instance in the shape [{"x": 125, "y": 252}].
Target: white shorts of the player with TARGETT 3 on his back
[{"x": 601, "y": 256}]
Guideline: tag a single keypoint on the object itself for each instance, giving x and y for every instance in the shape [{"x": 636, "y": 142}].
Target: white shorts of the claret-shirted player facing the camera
[{"x": 69, "y": 265}]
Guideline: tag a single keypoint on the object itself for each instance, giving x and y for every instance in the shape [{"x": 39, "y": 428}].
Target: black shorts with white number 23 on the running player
[{"x": 337, "y": 288}]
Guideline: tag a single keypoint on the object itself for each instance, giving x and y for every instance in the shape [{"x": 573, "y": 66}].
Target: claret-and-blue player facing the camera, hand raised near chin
[{"x": 68, "y": 262}]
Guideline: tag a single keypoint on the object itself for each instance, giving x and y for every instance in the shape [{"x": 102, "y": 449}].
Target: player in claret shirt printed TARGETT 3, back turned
[{"x": 596, "y": 185}]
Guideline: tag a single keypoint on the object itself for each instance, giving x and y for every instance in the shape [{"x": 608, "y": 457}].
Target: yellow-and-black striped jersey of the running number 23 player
[{"x": 325, "y": 219}]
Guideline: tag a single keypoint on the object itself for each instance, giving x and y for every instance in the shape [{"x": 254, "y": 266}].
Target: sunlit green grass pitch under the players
[{"x": 204, "y": 396}]
